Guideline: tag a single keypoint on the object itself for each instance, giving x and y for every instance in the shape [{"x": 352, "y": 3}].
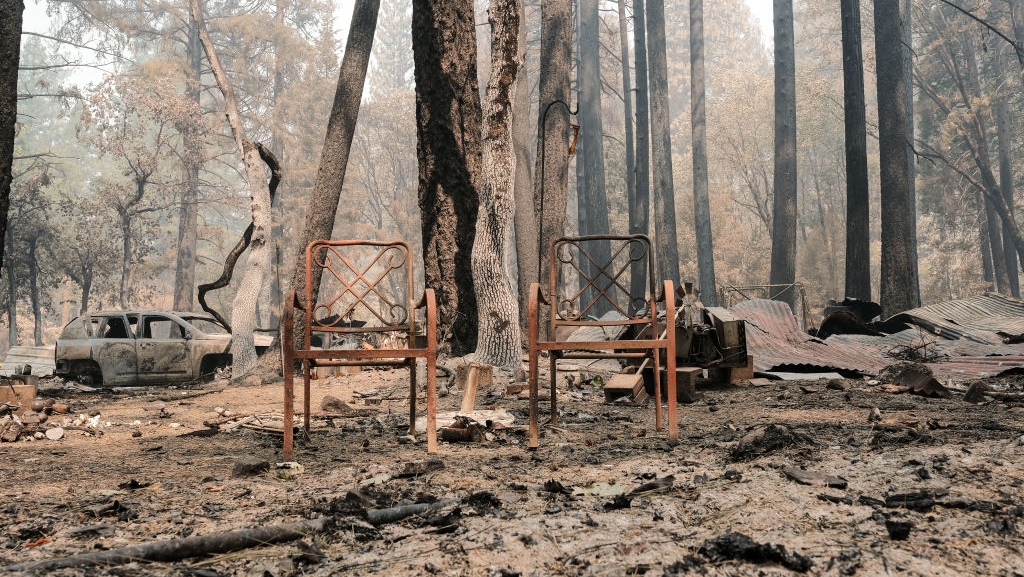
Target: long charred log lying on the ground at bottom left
[{"x": 178, "y": 550}]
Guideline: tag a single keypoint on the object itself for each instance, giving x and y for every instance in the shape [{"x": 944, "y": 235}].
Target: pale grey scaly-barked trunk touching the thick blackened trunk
[{"x": 499, "y": 338}]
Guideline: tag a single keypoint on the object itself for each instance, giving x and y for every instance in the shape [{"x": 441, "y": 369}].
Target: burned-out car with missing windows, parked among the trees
[{"x": 142, "y": 348}]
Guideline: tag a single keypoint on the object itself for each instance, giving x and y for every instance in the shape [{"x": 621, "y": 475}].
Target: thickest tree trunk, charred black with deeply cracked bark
[{"x": 449, "y": 120}]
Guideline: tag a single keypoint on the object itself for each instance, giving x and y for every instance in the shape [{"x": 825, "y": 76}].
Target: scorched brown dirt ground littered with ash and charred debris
[{"x": 933, "y": 488}]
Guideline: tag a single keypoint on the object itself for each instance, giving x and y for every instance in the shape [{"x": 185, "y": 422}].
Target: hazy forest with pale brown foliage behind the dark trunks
[{"x": 116, "y": 142}]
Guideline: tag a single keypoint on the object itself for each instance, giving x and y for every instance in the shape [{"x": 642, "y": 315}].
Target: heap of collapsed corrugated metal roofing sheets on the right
[{"x": 777, "y": 343}]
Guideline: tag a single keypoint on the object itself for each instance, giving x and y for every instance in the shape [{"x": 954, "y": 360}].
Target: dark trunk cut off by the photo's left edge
[{"x": 11, "y": 50}]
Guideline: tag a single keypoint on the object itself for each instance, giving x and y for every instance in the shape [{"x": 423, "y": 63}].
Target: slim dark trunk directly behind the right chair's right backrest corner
[{"x": 641, "y": 203}]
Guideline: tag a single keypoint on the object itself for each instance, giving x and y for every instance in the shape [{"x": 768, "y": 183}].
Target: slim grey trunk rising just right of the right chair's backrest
[{"x": 661, "y": 120}]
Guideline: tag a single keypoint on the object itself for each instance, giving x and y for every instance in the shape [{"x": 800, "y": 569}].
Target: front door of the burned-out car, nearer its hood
[{"x": 163, "y": 351}]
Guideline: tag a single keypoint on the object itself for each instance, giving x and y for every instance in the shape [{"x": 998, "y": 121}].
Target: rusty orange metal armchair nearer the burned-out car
[{"x": 362, "y": 280}]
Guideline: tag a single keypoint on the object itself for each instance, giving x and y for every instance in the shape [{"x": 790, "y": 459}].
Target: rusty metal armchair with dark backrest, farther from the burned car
[{"x": 605, "y": 287}]
